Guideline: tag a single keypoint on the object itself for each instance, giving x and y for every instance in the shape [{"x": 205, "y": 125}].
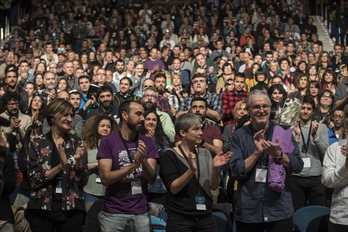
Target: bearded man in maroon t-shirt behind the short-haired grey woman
[{"x": 211, "y": 137}]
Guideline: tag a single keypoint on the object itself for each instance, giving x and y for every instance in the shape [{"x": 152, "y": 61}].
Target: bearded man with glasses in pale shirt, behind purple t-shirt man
[{"x": 149, "y": 101}]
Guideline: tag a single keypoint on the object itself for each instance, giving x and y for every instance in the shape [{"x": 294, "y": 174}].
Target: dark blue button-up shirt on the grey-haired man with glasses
[{"x": 255, "y": 202}]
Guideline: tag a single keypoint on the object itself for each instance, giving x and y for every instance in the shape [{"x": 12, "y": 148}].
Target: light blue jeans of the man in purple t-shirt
[{"x": 113, "y": 222}]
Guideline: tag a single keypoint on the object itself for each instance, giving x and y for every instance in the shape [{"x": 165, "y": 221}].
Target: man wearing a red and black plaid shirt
[{"x": 230, "y": 99}]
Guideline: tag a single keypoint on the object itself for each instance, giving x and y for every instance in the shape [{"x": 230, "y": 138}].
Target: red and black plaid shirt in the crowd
[{"x": 229, "y": 100}]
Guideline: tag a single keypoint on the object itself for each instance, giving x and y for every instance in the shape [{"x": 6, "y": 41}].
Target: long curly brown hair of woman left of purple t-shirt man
[{"x": 90, "y": 131}]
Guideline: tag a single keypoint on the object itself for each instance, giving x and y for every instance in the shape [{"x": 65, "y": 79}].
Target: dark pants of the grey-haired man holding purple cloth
[{"x": 283, "y": 226}]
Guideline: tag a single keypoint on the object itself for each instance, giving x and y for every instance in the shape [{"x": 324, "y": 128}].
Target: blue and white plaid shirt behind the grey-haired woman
[{"x": 213, "y": 100}]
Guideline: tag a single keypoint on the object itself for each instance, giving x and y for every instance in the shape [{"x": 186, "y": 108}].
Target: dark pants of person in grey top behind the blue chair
[{"x": 305, "y": 189}]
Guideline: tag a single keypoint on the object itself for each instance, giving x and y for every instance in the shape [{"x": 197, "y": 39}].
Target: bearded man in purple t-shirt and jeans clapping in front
[{"x": 127, "y": 161}]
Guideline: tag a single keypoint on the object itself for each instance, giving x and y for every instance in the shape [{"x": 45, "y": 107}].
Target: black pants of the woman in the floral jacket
[{"x": 40, "y": 222}]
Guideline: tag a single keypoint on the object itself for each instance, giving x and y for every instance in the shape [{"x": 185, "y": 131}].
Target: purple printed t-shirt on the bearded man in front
[{"x": 118, "y": 196}]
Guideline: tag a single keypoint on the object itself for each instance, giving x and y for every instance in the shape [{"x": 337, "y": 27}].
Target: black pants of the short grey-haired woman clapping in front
[{"x": 181, "y": 223}]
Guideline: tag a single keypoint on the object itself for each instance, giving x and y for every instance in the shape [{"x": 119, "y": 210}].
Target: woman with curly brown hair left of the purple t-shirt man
[{"x": 96, "y": 128}]
